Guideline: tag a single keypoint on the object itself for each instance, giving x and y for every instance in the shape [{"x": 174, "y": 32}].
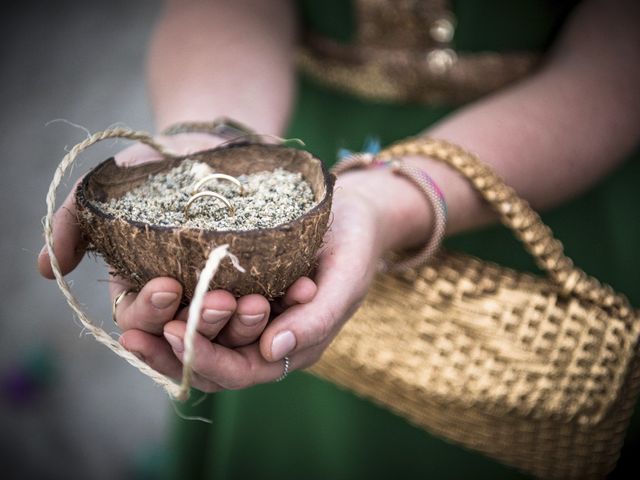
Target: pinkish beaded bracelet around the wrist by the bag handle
[{"x": 426, "y": 185}]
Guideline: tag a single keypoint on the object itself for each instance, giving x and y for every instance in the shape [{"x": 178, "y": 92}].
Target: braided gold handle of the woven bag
[{"x": 517, "y": 215}]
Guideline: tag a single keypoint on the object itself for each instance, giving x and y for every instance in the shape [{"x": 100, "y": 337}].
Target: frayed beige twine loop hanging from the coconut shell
[{"x": 178, "y": 392}]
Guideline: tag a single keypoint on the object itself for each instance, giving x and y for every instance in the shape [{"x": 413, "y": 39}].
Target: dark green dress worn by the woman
[{"x": 306, "y": 428}]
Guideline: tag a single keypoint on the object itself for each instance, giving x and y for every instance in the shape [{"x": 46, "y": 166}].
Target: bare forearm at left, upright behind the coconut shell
[{"x": 223, "y": 58}]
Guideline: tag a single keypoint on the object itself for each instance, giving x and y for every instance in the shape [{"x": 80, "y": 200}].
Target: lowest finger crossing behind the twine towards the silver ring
[{"x": 230, "y": 368}]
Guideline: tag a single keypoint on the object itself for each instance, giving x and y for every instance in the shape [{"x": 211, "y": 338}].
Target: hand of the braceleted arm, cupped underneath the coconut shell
[{"x": 362, "y": 228}]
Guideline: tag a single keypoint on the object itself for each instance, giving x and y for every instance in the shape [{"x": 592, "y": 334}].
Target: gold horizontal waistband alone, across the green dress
[{"x": 437, "y": 76}]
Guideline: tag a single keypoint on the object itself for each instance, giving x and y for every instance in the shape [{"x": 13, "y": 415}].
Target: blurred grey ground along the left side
[{"x": 96, "y": 417}]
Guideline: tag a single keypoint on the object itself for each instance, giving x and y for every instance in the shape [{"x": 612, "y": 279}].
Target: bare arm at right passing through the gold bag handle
[{"x": 550, "y": 136}]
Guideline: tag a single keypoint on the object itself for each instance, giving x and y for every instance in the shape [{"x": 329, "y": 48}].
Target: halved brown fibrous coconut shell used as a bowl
[{"x": 273, "y": 257}]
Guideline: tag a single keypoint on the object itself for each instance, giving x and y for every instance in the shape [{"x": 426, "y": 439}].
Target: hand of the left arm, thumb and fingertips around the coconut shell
[{"x": 157, "y": 303}]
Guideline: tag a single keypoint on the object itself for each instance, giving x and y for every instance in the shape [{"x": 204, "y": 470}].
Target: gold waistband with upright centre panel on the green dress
[{"x": 402, "y": 53}]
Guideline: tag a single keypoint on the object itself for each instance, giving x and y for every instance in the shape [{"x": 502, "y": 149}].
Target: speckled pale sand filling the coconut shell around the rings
[{"x": 270, "y": 199}]
